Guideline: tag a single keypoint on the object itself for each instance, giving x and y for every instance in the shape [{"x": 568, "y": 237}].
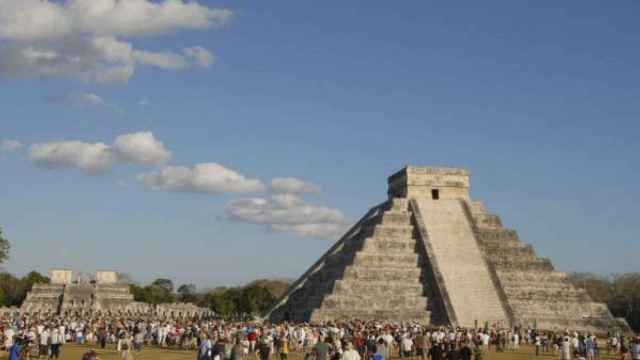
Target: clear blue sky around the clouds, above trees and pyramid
[{"x": 538, "y": 100}]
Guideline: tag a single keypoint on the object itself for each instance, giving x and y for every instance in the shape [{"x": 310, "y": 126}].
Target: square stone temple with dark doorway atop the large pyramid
[{"x": 430, "y": 182}]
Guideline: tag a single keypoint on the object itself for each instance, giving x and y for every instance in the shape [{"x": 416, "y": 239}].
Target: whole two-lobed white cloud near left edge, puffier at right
[{"x": 98, "y": 158}]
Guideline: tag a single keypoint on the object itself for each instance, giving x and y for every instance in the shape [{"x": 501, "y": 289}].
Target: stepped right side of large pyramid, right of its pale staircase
[{"x": 536, "y": 293}]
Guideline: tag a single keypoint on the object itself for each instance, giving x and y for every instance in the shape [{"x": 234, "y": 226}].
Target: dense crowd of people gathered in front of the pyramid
[{"x": 211, "y": 339}]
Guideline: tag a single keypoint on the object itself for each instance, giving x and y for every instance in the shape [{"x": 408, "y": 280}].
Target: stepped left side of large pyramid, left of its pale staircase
[{"x": 373, "y": 273}]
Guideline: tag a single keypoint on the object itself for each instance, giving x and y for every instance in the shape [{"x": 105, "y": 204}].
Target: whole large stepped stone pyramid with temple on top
[{"x": 433, "y": 255}]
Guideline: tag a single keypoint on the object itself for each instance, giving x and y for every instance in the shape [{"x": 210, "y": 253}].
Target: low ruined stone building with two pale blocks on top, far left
[{"x": 104, "y": 293}]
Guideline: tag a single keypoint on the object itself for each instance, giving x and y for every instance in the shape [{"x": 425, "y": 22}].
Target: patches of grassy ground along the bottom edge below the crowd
[{"x": 73, "y": 352}]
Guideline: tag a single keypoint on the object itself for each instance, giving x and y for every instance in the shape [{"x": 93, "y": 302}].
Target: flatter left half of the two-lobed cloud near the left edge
[{"x": 92, "y": 158}]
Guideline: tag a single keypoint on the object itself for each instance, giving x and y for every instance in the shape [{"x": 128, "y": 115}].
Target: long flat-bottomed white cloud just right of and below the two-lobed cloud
[{"x": 203, "y": 178}]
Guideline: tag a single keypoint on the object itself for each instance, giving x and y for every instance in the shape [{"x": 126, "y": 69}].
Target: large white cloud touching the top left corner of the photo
[{"x": 29, "y": 20}]
